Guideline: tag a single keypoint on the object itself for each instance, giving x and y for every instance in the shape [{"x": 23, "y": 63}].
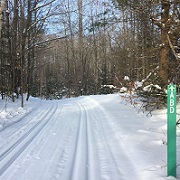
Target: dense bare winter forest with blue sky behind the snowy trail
[{"x": 53, "y": 47}]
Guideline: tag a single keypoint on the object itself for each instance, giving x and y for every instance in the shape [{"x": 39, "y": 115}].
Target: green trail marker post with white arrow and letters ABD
[{"x": 171, "y": 130}]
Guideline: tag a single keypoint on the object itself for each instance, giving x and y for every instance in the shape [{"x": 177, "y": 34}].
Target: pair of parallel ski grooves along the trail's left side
[{"x": 7, "y": 157}]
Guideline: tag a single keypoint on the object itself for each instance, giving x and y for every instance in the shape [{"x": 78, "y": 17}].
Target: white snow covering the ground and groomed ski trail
[{"x": 100, "y": 137}]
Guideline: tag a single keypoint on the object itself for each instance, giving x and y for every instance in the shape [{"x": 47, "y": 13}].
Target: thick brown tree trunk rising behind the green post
[{"x": 170, "y": 27}]
